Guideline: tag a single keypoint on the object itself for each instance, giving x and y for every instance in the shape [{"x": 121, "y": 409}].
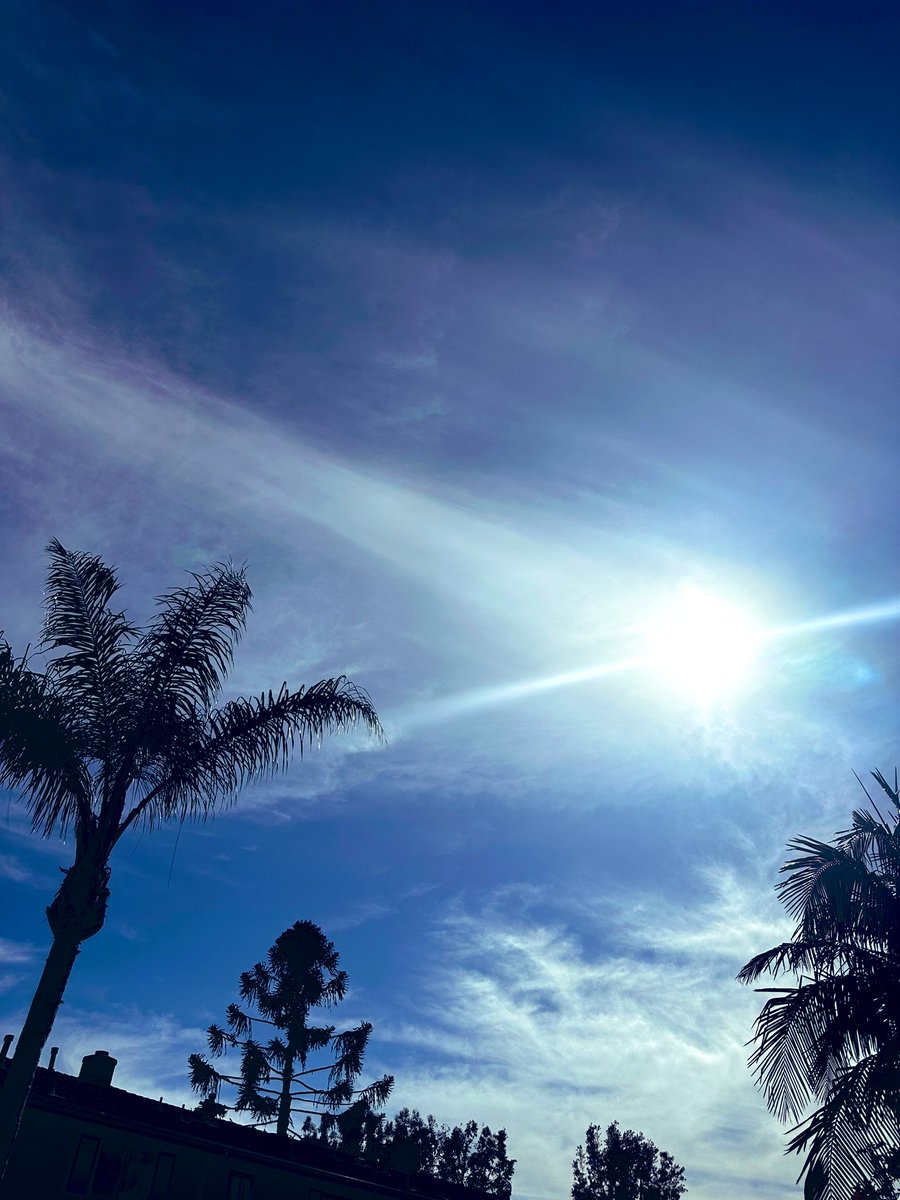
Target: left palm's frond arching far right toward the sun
[{"x": 249, "y": 739}]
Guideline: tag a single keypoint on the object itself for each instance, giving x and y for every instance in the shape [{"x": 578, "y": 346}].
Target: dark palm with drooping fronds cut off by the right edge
[{"x": 835, "y": 1036}]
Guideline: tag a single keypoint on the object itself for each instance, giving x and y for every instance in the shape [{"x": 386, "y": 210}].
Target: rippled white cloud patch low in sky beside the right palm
[{"x": 531, "y": 1030}]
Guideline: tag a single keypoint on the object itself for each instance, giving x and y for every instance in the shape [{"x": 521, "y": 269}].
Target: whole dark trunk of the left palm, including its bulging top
[{"x": 77, "y": 914}]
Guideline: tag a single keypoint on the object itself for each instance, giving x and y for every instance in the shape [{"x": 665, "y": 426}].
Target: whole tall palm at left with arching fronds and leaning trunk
[{"x": 121, "y": 731}]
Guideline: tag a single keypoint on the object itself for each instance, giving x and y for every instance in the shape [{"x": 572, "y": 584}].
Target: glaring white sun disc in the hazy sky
[{"x": 703, "y": 645}]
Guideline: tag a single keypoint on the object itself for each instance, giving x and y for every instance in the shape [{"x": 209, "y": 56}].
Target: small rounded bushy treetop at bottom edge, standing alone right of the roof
[{"x": 625, "y": 1167}]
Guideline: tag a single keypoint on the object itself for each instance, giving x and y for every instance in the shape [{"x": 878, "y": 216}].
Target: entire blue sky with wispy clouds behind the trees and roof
[{"x": 484, "y": 334}]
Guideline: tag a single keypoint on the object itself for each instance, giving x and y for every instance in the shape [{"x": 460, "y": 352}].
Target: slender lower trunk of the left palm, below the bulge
[{"x": 32, "y": 1042}]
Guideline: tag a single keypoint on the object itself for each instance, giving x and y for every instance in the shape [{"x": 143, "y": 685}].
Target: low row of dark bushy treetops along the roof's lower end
[{"x": 412, "y": 1144}]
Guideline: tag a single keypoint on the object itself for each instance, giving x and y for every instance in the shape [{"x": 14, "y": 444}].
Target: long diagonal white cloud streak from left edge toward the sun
[{"x": 152, "y": 422}]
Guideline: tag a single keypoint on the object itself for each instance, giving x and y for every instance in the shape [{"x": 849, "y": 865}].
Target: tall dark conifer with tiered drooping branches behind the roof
[{"x": 302, "y": 973}]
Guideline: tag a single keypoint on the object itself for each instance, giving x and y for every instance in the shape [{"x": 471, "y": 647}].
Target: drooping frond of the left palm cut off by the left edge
[{"x": 40, "y": 753}]
